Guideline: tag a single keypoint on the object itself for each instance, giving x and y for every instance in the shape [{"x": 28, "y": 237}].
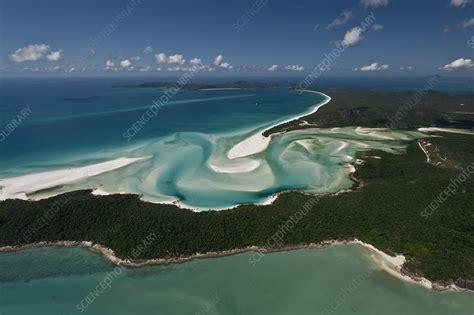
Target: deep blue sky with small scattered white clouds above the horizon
[{"x": 270, "y": 37}]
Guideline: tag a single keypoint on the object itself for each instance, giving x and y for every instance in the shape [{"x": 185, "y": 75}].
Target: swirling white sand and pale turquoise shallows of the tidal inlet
[{"x": 194, "y": 169}]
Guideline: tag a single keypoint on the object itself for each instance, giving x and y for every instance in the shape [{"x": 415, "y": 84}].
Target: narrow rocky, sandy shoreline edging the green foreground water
[{"x": 391, "y": 264}]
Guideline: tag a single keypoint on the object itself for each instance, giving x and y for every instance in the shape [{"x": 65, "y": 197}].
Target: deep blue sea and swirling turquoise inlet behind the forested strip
[{"x": 183, "y": 152}]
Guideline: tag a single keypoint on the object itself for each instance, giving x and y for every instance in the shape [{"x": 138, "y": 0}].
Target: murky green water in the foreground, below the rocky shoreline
[{"x": 337, "y": 280}]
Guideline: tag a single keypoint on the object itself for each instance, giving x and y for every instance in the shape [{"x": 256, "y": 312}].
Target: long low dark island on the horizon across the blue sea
[{"x": 202, "y": 86}]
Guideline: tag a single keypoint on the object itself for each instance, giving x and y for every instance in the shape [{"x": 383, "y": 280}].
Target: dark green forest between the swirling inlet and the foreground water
[{"x": 385, "y": 211}]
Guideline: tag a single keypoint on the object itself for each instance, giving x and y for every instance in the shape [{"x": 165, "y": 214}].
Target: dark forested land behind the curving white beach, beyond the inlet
[{"x": 390, "y": 109}]
